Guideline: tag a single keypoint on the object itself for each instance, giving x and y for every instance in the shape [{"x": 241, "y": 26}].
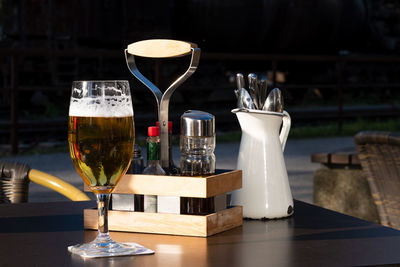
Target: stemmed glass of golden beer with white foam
[{"x": 101, "y": 139}]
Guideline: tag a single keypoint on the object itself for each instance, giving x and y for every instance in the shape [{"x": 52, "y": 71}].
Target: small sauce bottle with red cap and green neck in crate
[{"x": 153, "y": 165}]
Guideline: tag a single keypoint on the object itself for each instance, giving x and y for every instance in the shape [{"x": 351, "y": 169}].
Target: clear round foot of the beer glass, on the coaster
[{"x": 104, "y": 246}]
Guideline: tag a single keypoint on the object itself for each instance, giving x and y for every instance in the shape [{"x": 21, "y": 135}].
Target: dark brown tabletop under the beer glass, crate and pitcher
[{"x": 37, "y": 234}]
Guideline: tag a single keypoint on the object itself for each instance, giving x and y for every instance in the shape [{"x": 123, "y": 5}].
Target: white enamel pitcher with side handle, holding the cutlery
[{"x": 265, "y": 190}]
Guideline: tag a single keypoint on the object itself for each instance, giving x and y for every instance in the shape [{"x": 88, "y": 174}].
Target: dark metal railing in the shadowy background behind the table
[{"x": 15, "y": 59}]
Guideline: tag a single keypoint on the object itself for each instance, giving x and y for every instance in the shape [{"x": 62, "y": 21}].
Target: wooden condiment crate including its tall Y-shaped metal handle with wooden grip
[{"x": 216, "y": 186}]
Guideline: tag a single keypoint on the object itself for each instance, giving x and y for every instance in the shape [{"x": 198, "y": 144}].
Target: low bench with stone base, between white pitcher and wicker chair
[{"x": 341, "y": 185}]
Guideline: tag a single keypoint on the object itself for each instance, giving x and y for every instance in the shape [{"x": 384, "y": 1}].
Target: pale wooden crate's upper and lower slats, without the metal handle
[{"x": 175, "y": 224}]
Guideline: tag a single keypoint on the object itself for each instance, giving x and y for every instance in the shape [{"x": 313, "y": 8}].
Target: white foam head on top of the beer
[{"x": 95, "y": 103}]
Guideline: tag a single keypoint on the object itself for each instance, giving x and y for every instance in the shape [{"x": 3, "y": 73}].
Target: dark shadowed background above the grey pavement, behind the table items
[{"x": 337, "y": 61}]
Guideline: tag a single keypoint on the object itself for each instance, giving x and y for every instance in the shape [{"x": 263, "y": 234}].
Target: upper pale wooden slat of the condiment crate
[{"x": 183, "y": 186}]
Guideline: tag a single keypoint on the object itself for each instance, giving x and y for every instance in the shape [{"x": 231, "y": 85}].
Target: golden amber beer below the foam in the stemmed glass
[{"x": 101, "y": 149}]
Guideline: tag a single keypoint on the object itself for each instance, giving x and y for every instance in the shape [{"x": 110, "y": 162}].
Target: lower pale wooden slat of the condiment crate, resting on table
[{"x": 162, "y": 223}]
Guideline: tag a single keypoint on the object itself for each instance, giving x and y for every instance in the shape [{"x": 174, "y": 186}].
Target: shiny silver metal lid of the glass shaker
[{"x": 197, "y": 123}]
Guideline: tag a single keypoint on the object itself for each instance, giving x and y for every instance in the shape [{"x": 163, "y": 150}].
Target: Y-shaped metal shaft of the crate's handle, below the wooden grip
[{"x": 163, "y": 99}]
